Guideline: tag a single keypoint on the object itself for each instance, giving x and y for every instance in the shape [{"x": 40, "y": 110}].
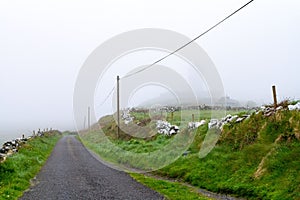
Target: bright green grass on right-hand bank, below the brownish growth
[{"x": 232, "y": 172}]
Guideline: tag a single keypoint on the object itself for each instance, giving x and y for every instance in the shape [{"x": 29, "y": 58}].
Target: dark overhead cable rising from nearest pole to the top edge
[{"x": 196, "y": 38}]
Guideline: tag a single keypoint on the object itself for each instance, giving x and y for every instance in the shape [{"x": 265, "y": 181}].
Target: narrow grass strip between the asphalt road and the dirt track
[{"x": 171, "y": 190}]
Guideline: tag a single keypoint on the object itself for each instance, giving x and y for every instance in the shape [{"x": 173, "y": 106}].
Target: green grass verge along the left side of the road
[{"x": 17, "y": 171}]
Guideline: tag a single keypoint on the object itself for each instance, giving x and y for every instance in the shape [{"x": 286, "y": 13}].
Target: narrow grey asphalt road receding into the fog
[{"x": 71, "y": 172}]
